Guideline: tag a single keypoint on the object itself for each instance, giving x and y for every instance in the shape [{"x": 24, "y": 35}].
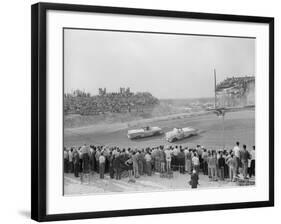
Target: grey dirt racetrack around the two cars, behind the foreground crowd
[{"x": 238, "y": 126}]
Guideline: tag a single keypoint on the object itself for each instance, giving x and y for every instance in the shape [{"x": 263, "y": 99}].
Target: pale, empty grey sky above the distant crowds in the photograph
[{"x": 166, "y": 65}]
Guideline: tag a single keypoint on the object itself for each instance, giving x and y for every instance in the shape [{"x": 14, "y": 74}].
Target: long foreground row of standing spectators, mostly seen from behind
[{"x": 218, "y": 165}]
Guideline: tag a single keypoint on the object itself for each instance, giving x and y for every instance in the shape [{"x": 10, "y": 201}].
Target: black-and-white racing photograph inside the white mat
[{"x": 152, "y": 111}]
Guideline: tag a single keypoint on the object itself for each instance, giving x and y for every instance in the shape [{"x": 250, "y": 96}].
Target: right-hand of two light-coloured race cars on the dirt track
[{"x": 180, "y": 133}]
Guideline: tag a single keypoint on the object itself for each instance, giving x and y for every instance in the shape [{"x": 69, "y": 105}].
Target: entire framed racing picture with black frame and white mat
[{"x": 140, "y": 111}]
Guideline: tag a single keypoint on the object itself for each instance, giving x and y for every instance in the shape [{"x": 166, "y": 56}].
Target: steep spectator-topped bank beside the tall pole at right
[{"x": 236, "y": 91}]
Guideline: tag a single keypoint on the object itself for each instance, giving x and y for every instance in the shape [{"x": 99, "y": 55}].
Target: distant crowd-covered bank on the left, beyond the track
[{"x": 80, "y": 102}]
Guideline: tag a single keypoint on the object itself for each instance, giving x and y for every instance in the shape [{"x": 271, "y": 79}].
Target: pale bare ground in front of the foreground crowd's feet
[{"x": 95, "y": 185}]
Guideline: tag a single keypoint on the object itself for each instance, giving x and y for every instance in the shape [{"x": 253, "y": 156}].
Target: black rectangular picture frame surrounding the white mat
[{"x": 39, "y": 107}]
